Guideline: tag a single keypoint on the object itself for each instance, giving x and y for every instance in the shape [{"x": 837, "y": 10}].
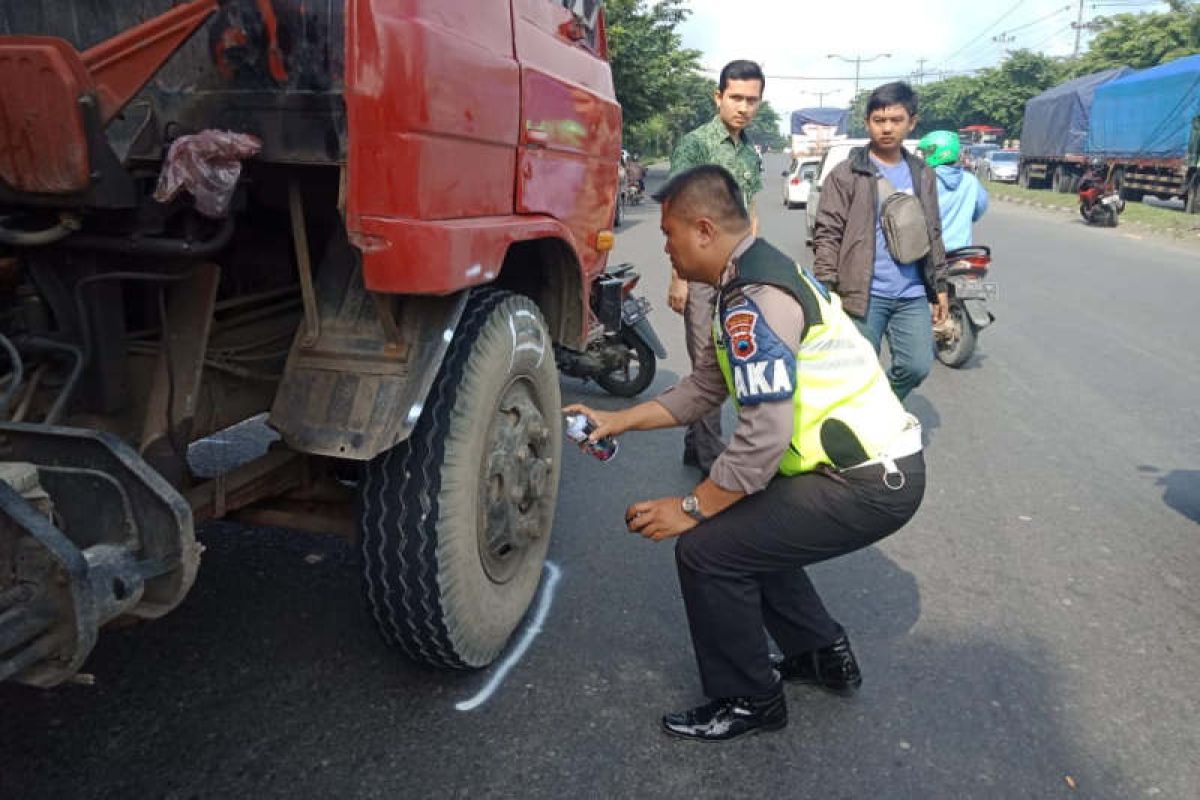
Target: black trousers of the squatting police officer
[{"x": 743, "y": 570}]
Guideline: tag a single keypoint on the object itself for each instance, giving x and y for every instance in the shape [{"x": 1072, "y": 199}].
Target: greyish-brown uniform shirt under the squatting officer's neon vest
[{"x": 764, "y": 430}]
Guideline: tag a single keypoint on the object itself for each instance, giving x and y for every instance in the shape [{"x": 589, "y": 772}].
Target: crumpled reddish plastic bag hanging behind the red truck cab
[{"x": 207, "y": 165}]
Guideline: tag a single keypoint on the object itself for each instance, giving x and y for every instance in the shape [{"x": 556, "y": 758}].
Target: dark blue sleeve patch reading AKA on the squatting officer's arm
[{"x": 763, "y": 365}]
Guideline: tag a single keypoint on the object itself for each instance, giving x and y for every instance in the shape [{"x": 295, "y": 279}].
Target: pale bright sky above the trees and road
[{"x": 794, "y": 39}]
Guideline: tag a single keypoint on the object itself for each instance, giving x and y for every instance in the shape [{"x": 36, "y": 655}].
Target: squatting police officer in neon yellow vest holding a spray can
[{"x": 824, "y": 462}]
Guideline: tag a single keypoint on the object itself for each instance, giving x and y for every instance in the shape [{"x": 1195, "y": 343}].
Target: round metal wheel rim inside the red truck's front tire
[{"x": 517, "y": 474}]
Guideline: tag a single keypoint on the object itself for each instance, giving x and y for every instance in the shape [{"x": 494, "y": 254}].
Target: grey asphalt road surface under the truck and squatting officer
[{"x": 1033, "y": 634}]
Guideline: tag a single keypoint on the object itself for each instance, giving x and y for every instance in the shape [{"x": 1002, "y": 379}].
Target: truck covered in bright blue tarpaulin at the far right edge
[{"x": 1147, "y": 128}]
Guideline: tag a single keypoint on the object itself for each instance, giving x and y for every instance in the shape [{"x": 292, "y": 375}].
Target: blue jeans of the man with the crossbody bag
[{"x": 909, "y": 327}]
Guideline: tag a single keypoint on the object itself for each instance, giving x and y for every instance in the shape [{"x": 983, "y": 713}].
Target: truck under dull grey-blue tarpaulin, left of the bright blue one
[{"x": 1054, "y": 135}]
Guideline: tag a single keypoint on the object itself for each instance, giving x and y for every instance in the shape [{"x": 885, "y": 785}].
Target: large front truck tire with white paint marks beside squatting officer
[{"x": 455, "y": 521}]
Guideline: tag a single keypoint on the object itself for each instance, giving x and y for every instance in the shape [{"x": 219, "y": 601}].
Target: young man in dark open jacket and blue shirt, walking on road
[{"x": 886, "y": 299}]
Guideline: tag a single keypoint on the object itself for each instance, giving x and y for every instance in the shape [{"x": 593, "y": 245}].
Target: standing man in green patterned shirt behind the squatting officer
[{"x": 722, "y": 142}]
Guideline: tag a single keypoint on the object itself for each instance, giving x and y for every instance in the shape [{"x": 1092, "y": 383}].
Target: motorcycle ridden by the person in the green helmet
[{"x": 956, "y": 336}]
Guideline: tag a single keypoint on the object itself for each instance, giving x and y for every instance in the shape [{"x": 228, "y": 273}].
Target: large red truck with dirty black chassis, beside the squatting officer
[{"x": 362, "y": 227}]
